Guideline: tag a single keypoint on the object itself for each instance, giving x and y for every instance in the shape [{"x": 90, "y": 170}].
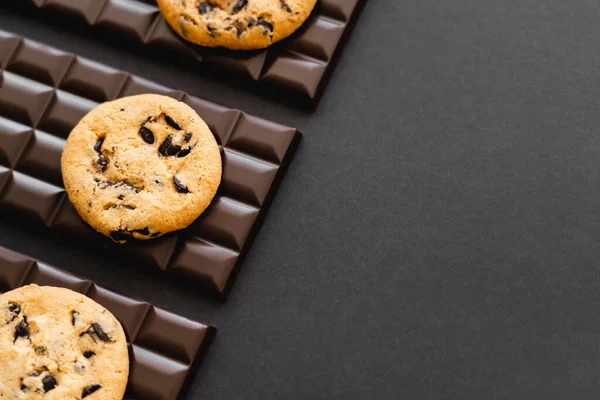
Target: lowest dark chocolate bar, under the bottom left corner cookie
[{"x": 165, "y": 349}]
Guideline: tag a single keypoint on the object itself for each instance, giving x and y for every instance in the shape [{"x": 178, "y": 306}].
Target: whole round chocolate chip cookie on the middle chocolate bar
[{"x": 140, "y": 167}]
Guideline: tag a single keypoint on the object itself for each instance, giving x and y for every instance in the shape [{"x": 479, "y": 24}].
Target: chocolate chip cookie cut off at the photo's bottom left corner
[{"x": 59, "y": 344}]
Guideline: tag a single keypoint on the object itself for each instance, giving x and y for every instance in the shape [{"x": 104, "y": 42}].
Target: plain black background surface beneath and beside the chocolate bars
[{"x": 436, "y": 234}]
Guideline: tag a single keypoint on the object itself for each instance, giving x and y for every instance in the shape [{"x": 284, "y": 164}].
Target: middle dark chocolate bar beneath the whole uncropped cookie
[{"x": 43, "y": 95}]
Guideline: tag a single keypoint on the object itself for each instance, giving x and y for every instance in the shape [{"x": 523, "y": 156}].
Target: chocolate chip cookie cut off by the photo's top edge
[{"x": 235, "y": 24}]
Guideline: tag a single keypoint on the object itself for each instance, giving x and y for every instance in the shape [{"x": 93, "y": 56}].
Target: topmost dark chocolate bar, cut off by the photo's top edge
[{"x": 300, "y": 64}]
